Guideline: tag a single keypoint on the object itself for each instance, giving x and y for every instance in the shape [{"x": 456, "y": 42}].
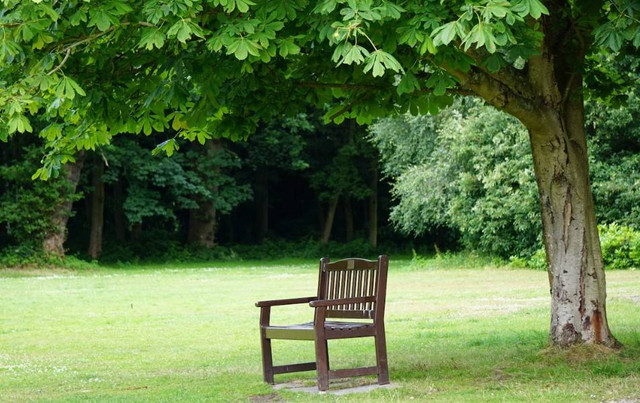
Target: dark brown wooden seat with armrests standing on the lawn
[{"x": 347, "y": 289}]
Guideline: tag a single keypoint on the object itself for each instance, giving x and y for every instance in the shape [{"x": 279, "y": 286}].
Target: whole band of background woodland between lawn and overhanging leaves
[{"x": 460, "y": 180}]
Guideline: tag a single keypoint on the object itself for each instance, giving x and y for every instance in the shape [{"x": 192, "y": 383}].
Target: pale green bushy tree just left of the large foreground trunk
[{"x": 469, "y": 169}]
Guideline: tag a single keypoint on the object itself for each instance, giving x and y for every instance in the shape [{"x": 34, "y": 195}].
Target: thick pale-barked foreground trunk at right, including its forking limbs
[{"x": 547, "y": 97}]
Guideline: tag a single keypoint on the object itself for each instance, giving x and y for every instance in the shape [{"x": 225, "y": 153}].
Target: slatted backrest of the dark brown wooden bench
[{"x": 353, "y": 278}]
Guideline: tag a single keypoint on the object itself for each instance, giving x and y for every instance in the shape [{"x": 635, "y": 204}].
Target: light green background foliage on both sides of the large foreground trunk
[{"x": 468, "y": 168}]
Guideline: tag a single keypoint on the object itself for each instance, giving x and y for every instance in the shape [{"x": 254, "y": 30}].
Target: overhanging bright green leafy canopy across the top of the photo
[{"x": 78, "y": 72}]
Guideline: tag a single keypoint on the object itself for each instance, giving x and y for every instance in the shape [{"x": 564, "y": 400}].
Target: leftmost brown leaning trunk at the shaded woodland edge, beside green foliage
[{"x": 53, "y": 242}]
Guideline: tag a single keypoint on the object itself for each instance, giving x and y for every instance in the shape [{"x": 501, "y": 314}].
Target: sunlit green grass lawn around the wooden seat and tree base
[{"x": 168, "y": 334}]
